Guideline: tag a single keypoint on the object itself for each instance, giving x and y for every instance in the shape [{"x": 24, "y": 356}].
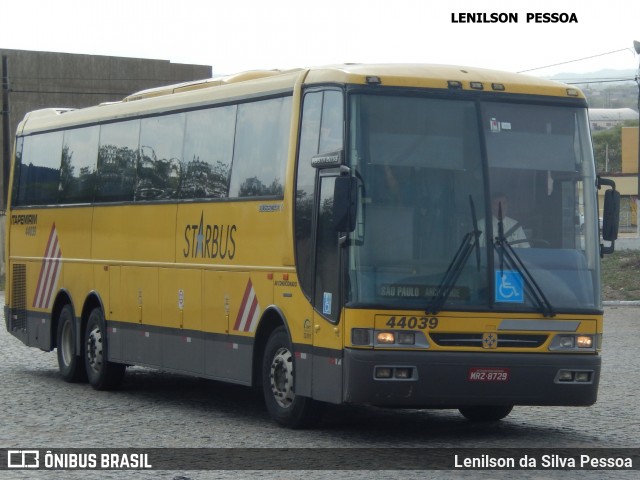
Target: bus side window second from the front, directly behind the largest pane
[{"x": 208, "y": 152}]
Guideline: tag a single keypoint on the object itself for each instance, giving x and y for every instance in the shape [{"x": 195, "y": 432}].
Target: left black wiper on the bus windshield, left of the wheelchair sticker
[{"x": 470, "y": 241}]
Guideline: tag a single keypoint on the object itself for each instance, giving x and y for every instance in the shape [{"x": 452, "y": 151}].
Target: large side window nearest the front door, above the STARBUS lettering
[{"x": 261, "y": 148}]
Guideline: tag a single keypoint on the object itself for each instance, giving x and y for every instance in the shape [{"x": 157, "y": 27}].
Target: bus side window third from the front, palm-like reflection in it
[{"x": 159, "y": 161}]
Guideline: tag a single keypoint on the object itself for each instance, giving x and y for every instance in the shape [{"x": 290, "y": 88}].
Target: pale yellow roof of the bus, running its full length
[{"x": 255, "y": 82}]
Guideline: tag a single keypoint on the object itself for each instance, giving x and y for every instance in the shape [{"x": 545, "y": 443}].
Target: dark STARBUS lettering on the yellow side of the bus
[{"x": 204, "y": 240}]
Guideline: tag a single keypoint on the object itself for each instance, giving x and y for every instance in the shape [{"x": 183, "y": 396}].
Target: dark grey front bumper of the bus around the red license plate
[{"x": 442, "y": 379}]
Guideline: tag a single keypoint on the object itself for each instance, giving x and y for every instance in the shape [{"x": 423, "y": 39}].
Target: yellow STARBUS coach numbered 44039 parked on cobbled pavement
[{"x": 322, "y": 234}]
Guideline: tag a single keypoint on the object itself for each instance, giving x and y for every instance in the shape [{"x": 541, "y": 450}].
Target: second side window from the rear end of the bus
[{"x": 78, "y": 166}]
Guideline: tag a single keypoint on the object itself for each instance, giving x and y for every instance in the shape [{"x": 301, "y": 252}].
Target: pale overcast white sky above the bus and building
[{"x": 238, "y": 35}]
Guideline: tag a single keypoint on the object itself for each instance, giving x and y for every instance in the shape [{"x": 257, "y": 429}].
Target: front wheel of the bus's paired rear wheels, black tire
[{"x": 102, "y": 374}]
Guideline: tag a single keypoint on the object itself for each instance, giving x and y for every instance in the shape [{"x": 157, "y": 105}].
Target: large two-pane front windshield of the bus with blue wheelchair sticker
[{"x": 443, "y": 181}]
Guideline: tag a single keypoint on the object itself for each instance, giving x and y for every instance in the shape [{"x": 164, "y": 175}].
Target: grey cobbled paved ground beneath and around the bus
[{"x": 158, "y": 409}]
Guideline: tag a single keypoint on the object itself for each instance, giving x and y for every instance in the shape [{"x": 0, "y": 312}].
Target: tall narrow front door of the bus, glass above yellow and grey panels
[{"x": 317, "y": 250}]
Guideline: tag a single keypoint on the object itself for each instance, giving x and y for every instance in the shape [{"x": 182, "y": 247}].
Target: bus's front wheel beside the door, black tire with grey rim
[{"x": 284, "y": 406}]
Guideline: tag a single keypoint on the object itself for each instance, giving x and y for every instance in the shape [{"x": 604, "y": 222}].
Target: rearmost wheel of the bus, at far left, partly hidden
[{"x": 70, "y": 364}]
